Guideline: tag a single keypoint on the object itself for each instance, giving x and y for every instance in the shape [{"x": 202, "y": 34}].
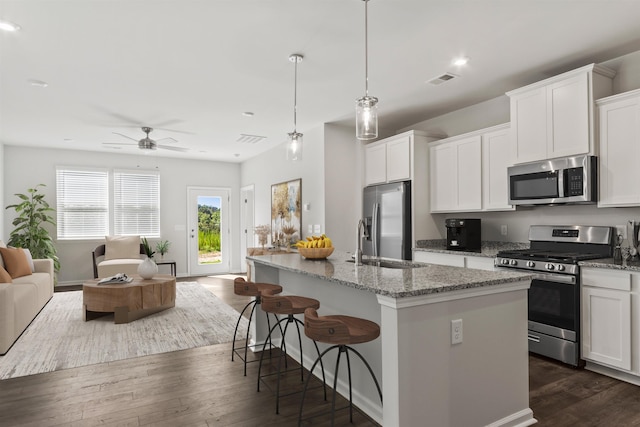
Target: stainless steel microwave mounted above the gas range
[{"x": 556, "y": 181}]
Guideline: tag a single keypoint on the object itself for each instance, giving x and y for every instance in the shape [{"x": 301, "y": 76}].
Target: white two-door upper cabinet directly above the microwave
[{"x": 554, "y": 118}]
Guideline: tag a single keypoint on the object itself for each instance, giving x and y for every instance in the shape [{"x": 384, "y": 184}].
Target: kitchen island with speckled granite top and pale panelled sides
[{"x": 426, "y": 380}]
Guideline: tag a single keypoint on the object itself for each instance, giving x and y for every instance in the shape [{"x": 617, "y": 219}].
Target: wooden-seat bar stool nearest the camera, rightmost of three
[{"x": 341, "y": 331}]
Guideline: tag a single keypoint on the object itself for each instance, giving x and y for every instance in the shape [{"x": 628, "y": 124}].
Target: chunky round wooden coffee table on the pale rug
[{"x": 129, "y": 301}]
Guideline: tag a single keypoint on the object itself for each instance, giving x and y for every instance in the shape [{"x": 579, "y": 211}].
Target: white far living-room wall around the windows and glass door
[{"x": 27, "y": 167}]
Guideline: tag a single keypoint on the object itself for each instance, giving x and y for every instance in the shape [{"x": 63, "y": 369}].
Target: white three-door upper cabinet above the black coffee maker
[{"x": 469, "y": 172}]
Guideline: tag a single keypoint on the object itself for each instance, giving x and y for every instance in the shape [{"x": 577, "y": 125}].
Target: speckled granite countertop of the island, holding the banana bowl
[{"x": 397, "y": 283}]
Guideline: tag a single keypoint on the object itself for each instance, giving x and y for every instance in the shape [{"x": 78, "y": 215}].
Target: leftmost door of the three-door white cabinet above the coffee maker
[{"x": 442, "y": 171}]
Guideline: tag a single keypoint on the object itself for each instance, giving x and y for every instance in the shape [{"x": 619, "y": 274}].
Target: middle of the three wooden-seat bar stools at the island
[{"x": 287, "y": 305}]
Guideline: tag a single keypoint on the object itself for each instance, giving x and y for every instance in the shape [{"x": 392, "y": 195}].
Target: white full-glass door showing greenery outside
[{"x": 208, "y": 231}]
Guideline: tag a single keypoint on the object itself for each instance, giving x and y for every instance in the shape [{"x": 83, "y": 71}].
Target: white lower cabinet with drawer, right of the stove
[{"x": 609, "y": 336}]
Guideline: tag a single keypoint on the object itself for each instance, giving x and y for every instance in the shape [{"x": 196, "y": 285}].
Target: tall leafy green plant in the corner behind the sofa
[{"x": 33, "y": 213}]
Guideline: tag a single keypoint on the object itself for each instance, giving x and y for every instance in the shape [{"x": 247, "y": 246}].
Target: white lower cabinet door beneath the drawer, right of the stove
[{"x": 606, "y": 326}]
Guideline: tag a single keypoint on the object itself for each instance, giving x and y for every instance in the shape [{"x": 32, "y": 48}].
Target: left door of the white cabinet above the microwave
[{"x": 529, "y": 125}]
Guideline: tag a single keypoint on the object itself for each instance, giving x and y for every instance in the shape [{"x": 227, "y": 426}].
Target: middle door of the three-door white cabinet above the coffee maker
[{"x": 469, "y": 174}]
